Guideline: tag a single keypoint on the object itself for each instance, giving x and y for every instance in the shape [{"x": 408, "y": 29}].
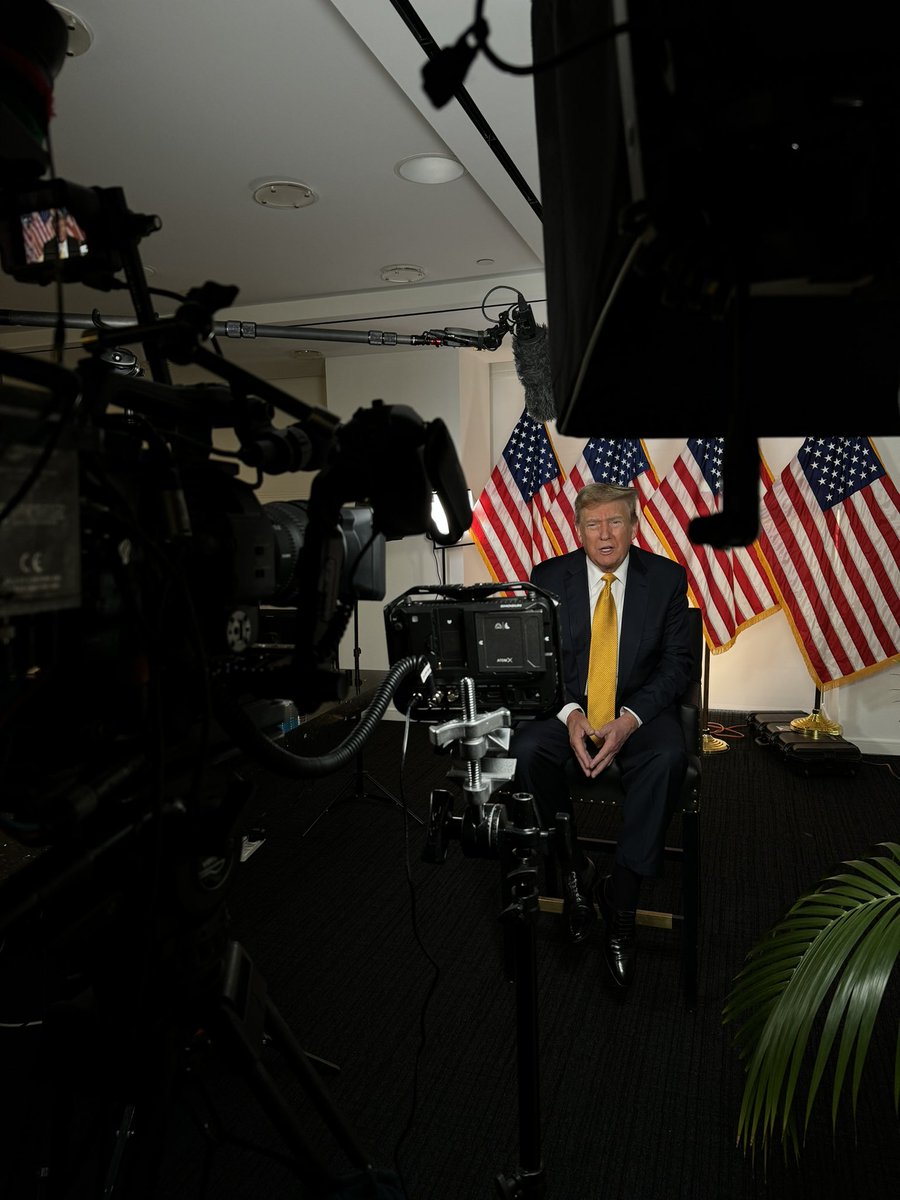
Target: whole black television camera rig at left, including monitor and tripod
[{"x": 154, "y": 616}]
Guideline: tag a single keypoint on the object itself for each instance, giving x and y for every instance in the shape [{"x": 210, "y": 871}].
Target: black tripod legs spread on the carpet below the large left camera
[{"x": 239, "y": 1028}]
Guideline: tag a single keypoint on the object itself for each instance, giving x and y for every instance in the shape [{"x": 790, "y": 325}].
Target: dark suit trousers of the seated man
[{"x": 653, "y": 764}]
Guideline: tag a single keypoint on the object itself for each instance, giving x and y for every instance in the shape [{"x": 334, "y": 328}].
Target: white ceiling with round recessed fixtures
[{"x": 189, "y": 106}]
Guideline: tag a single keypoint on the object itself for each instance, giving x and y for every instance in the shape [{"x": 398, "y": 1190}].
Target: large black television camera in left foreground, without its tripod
[{"x": 139, "y": 569}]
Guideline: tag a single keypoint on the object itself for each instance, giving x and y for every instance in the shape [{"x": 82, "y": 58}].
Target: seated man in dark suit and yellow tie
[{"x": 643, "y": 733}]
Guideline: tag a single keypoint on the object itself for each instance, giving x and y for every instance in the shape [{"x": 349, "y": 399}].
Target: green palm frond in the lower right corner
[{"x": 825, "y": 967}]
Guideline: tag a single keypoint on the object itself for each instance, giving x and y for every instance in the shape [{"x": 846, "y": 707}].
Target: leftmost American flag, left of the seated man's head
[{"x": 508, "y": 517}]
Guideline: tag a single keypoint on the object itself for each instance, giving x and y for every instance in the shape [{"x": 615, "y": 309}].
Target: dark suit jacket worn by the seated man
[{"x": 655, "y": 647}]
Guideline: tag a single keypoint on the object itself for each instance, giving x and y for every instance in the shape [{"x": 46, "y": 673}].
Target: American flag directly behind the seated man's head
[{"x": 621, "y": 461}]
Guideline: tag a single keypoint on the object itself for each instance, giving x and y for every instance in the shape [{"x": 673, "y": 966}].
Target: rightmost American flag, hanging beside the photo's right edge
[{"x": 831, "y": 536}]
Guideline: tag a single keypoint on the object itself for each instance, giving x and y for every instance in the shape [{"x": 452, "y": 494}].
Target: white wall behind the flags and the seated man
[{"x": 479, "y": 398}]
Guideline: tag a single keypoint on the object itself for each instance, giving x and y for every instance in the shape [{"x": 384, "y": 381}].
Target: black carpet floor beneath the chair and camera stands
[{"x": 393, "y": 971}]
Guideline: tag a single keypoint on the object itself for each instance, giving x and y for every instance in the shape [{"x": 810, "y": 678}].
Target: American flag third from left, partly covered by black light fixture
[{"x": 731, "y": 587}]
